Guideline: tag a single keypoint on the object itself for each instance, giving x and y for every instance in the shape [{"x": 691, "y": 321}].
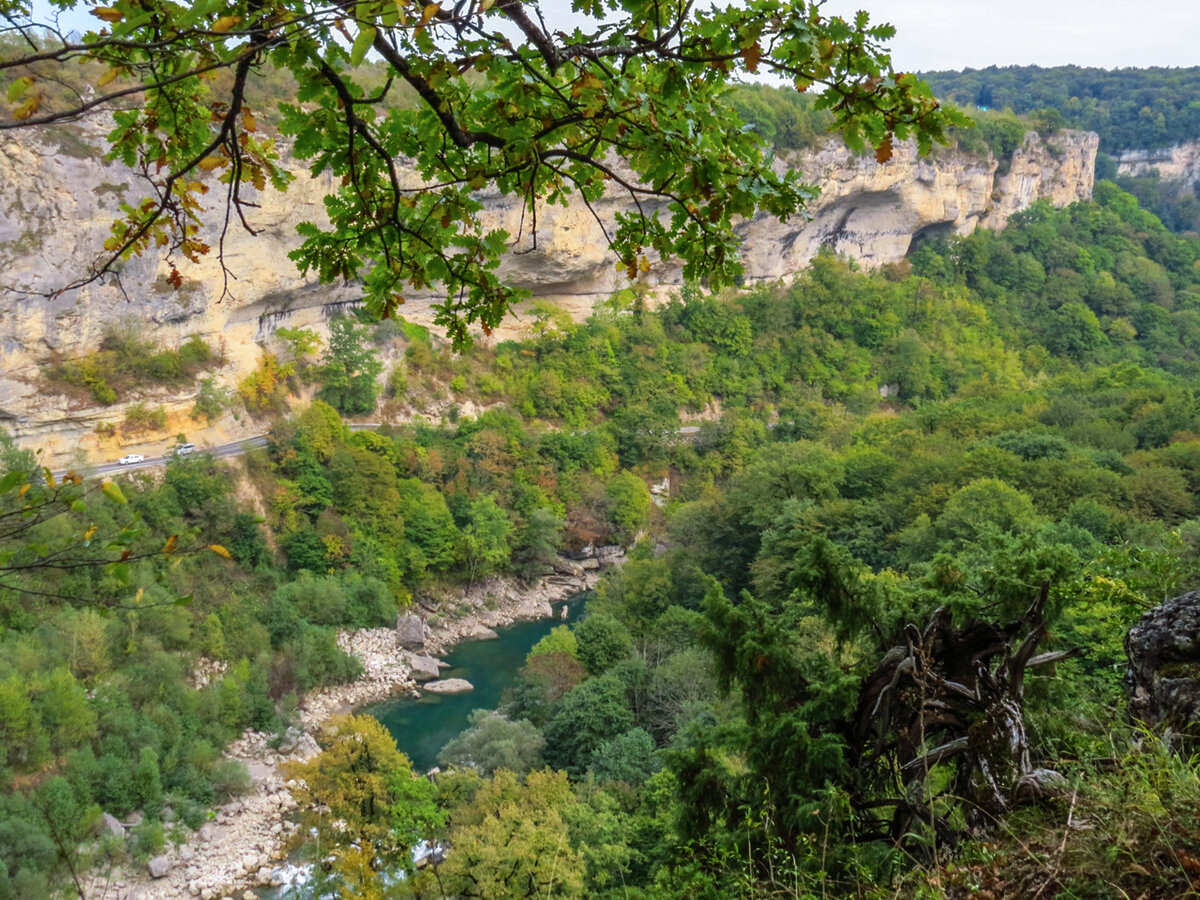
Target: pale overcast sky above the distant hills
[{"x": 956, "y": 34}]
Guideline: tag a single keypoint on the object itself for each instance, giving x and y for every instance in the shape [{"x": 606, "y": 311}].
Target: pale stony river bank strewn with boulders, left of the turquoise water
[{"x": 244, "y": 845}]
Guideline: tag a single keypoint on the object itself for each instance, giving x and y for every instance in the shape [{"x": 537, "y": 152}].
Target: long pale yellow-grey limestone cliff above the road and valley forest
[{"x": 61, "y": 197}]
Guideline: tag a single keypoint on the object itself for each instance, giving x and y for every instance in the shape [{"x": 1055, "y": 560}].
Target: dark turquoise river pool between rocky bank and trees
[{"x": 422, "y": 728}]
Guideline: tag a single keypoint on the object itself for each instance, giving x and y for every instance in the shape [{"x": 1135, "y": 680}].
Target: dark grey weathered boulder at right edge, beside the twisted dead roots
[{"x": 1165, "y": 665}]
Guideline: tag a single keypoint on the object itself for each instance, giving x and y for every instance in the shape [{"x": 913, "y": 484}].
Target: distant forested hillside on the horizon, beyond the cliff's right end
[{"x": 1130, "y": 109}]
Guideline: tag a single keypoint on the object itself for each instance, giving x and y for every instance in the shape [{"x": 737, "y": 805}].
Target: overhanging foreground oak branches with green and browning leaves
[{"x": 536, "y": 116}]
